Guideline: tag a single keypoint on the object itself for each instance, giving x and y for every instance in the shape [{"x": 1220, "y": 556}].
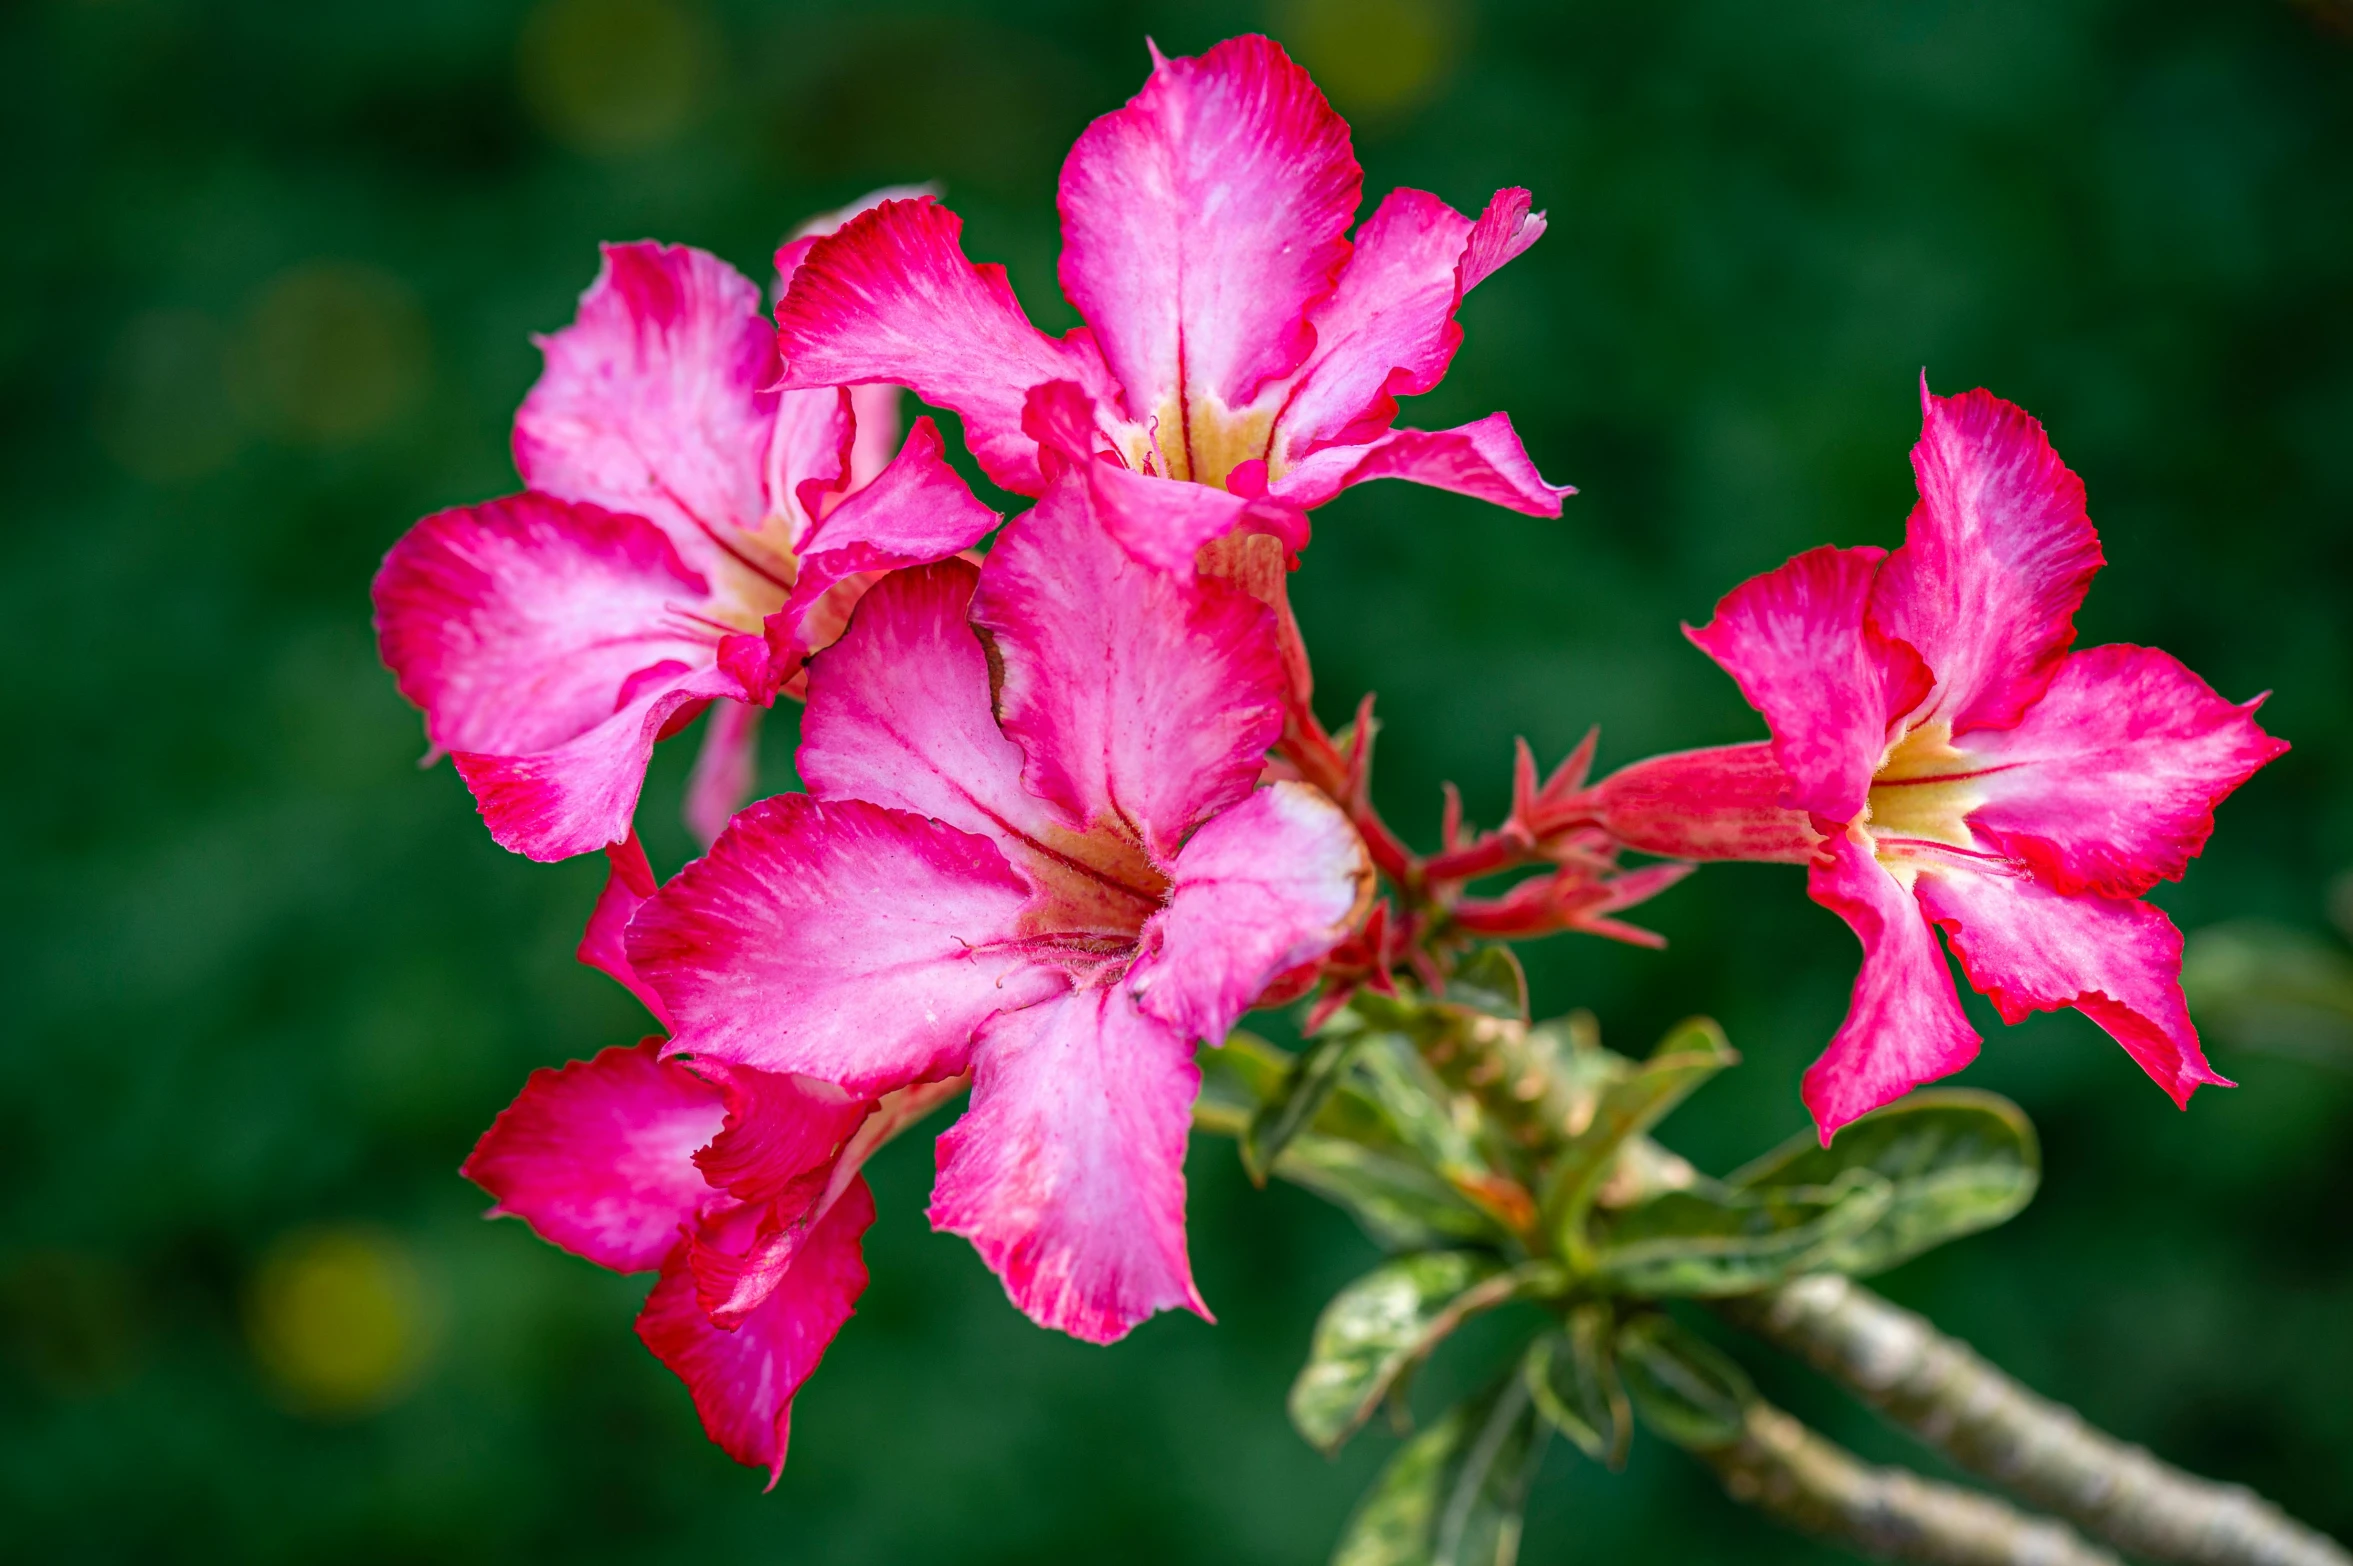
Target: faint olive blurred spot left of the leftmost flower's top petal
[{"x": 331, "y": 352}]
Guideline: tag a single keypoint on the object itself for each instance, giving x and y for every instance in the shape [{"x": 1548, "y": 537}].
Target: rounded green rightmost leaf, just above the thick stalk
[{"x": 1954, "y": 1158}]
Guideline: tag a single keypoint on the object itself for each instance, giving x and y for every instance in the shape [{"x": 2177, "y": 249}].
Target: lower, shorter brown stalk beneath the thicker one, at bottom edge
[{"x": 1888, "y": 1513}]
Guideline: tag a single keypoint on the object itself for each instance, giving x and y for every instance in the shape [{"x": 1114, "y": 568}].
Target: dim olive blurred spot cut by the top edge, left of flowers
[{"x": 615, "y": 76}]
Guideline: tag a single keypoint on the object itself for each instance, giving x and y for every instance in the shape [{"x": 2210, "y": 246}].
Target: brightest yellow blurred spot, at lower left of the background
[{"x": 338, "y": 1320}]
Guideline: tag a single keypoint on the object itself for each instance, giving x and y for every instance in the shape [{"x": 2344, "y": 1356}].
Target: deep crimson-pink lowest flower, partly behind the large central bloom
[{"x": 742, "y": 1189}]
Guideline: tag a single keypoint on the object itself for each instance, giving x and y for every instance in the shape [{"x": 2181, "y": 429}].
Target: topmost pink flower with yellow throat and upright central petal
[{"x": 1234, "y": 333}]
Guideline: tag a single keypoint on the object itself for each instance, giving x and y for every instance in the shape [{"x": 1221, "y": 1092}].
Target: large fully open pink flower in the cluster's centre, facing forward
[{"x": 1058, "y": 890}]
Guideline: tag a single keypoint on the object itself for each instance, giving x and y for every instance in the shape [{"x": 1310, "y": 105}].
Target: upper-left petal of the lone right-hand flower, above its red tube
[{"x": 1829, "y": 685}]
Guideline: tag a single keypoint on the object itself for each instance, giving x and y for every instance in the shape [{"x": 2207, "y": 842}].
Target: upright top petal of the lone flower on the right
[{"x": 1994, "y": 563}]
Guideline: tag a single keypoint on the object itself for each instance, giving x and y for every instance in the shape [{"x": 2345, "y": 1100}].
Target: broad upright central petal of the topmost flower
[{"x": 1201, "y": 222}]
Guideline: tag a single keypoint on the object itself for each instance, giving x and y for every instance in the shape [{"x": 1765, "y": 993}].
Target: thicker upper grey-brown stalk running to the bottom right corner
[{"x": 2044, "y": 1452}]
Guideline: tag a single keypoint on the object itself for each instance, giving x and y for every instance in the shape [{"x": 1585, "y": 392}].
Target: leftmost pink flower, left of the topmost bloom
[{"x": 686, "y": 537}]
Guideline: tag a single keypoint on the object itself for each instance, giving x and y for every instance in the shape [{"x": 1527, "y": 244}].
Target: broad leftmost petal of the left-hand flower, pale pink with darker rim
[{"x": 521, "y": 624}]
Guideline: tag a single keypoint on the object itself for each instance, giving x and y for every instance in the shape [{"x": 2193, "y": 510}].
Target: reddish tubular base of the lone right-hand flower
[{"x": 1717, "y": 803}]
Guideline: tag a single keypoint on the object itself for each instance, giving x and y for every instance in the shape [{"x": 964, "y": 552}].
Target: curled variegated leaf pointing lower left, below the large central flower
[{"x": 1387, "y": 1323}]
